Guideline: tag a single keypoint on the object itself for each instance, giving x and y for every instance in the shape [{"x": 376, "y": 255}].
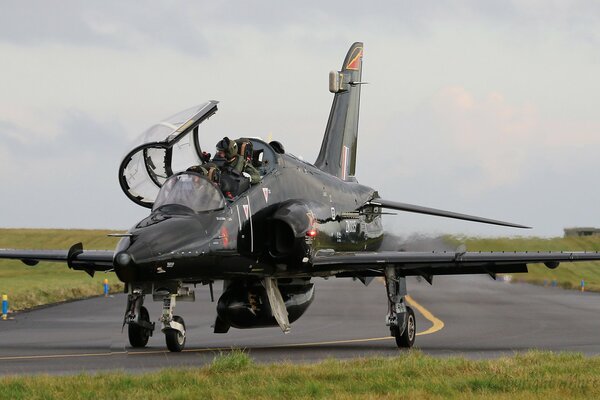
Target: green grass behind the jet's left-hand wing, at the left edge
[{"x": 51, "y": 282}]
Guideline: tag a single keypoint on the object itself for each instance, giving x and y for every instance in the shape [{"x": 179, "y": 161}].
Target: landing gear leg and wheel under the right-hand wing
[{"x": 400, "y": 318}]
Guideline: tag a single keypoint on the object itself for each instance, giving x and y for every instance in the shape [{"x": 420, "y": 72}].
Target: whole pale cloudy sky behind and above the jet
[{"x": 485, "y": 108}]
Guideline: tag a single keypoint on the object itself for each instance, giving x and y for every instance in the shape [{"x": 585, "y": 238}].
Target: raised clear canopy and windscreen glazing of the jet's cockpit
[{"x": 173, "y": 146}]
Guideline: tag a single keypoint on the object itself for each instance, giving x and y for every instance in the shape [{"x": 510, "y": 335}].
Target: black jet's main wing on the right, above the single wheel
[{"x": 428, "y": 264}]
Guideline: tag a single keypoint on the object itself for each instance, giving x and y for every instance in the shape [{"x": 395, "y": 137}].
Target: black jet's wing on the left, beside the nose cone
[{"x": 76, "y": 258}]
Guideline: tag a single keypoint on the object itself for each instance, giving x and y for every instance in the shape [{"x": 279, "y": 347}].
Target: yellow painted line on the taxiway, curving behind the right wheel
[{"x": 437, "y": 324}]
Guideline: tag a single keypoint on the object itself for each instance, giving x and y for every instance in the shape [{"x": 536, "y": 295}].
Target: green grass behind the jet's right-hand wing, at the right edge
[{"x": 568, "y": 275}]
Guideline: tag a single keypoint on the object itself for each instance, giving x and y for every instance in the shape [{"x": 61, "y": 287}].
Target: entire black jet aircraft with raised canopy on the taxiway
[{"x": 267, "y": 243}]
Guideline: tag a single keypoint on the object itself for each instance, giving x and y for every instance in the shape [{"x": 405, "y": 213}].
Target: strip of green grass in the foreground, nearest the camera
[{"x": 533, "y": 375}]
